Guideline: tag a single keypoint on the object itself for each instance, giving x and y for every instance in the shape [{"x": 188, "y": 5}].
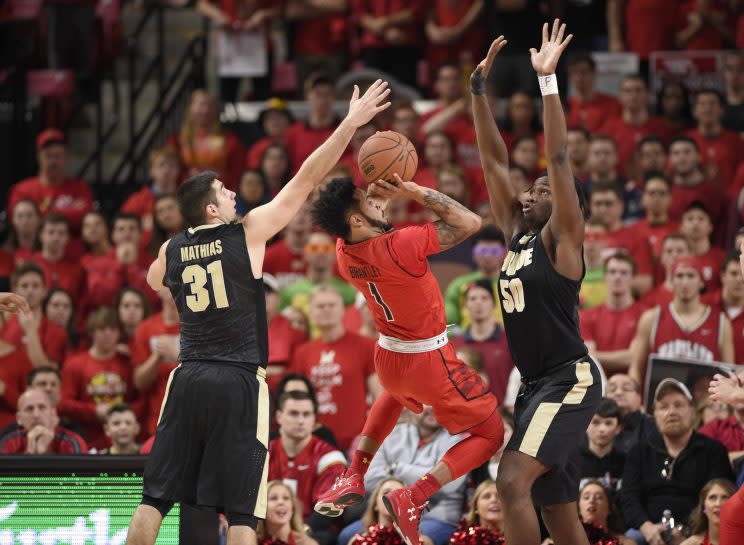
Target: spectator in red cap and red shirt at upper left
[{"x": 51, "y": 190}]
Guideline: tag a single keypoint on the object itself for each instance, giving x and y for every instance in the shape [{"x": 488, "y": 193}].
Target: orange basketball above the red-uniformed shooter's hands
[{"x": 386, "y": 153}]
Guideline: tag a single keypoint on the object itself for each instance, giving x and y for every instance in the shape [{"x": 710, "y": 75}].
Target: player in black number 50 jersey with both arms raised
[{"x": 539, "y": 292}]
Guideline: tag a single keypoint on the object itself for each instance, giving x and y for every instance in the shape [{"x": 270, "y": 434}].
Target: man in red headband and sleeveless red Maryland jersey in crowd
[{"x": 686, "y": 328}]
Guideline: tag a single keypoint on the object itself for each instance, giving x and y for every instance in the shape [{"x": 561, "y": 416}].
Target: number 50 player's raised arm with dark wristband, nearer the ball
[{"x": 493, "y": 152}]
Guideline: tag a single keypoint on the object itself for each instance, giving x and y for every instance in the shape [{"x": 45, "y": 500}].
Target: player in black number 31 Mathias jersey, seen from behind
[{"x": 211, "y": 442}]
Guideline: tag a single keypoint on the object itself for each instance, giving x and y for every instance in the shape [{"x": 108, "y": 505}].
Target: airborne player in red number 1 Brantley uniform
[{"x": 414, "y": 360}]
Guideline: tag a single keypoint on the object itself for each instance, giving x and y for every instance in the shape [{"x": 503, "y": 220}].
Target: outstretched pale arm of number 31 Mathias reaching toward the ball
[{"x": 264, "y": 222}]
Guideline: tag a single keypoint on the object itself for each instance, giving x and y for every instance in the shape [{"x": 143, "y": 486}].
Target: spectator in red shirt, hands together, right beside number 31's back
[{"x": 155, "y": 350}]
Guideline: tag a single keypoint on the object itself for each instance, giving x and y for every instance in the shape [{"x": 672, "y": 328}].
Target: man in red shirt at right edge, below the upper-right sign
[{"x": 721, "y": 150}]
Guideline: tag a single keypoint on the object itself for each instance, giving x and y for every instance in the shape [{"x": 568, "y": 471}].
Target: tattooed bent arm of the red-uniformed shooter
[{"x": 456, "y": 223}]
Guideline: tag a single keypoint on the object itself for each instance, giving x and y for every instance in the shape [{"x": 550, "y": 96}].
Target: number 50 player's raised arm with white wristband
[{"x": 567, "y": 220}]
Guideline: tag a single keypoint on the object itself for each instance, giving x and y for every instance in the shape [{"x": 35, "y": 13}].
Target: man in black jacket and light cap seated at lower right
[{"x": 666, "y": 472}]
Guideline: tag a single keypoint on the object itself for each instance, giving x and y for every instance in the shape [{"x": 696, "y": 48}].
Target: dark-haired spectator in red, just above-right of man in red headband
[{"x": 697, "y": 228}]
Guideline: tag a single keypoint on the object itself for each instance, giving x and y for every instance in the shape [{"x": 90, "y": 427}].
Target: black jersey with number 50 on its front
[{"x": 540, "y": 308}]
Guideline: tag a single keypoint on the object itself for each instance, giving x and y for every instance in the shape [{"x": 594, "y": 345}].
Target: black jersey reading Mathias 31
[{"x": 221, "y": 306}]
